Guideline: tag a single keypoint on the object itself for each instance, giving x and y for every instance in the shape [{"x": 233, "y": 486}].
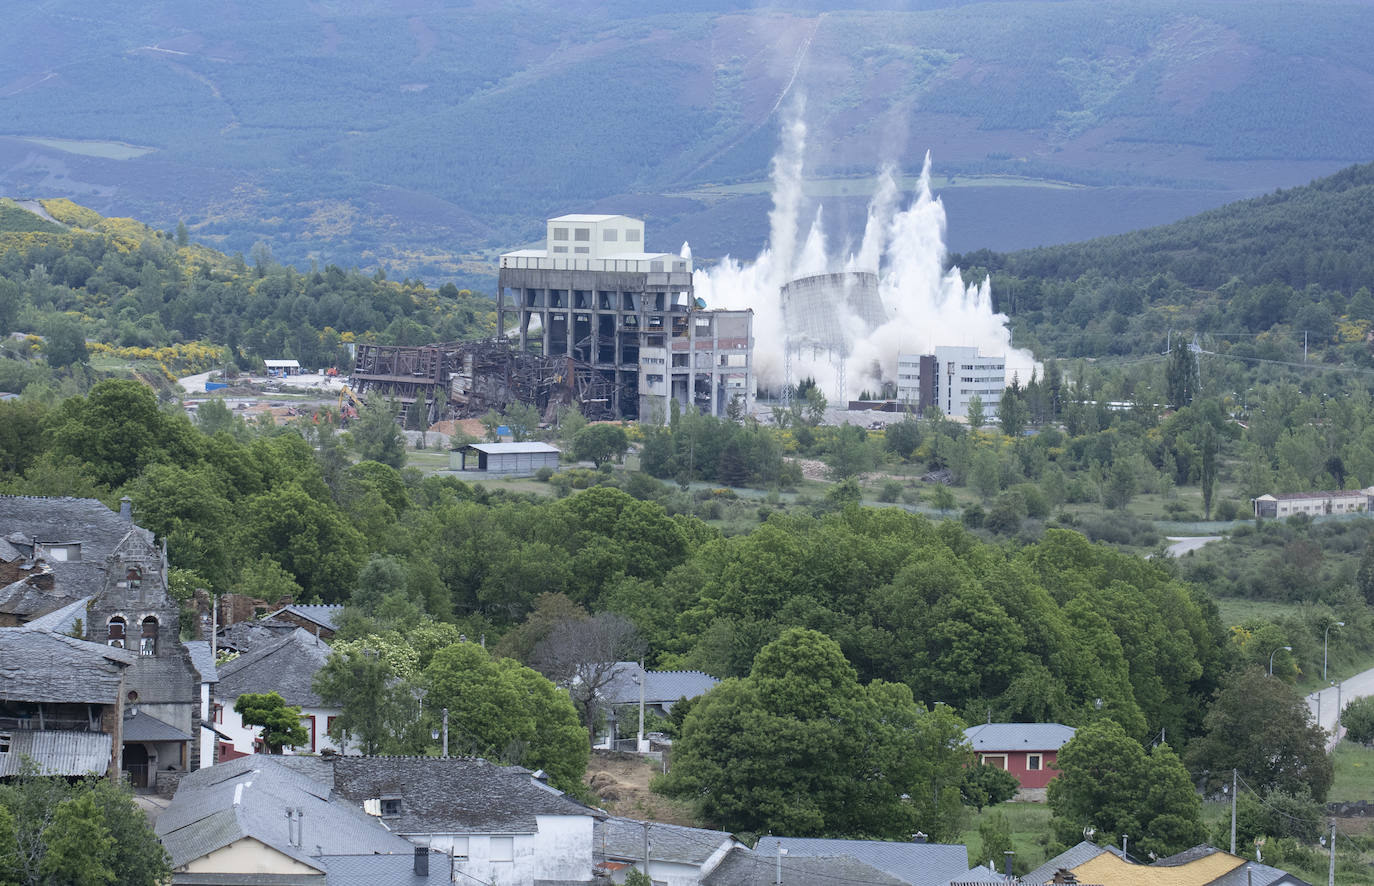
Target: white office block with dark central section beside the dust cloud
[{"x": 949, "y": 380}]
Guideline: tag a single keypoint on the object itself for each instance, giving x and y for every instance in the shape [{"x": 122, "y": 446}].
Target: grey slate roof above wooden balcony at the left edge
[{"x": 45, "y": 667}]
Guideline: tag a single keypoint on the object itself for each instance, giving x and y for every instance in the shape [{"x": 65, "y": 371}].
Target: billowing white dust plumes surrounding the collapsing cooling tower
[{"x": 925, "y": 306}]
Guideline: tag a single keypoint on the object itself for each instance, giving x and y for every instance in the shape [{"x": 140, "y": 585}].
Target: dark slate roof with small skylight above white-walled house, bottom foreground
[{"x": 454, "y": 796}]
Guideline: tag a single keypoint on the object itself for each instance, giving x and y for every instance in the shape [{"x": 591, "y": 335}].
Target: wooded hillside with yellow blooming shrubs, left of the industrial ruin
[{"x": 78, "y": 275}]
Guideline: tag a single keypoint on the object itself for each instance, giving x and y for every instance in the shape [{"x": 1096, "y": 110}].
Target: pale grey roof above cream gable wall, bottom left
[{"x": 245, "y": 797}]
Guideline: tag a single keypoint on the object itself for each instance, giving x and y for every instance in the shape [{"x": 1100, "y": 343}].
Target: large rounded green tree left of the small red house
[{"x": 800, "y": 748}]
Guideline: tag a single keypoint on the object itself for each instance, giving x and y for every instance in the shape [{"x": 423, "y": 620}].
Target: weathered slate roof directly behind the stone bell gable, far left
[{"x": 68, "y": 521}]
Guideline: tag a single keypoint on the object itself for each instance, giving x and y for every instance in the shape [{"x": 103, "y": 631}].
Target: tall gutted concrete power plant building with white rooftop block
[{"x": 596, "y": 297}]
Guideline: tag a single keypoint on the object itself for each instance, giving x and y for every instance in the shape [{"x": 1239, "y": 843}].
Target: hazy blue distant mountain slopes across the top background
[{"x": 424, "y": 137}]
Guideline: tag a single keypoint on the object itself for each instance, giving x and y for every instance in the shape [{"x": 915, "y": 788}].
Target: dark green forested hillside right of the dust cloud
[{"x": 1258, "y": 280}]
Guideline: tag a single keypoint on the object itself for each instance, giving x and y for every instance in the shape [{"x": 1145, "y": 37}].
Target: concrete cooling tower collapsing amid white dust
[{"x": 832, "y": 311}]
